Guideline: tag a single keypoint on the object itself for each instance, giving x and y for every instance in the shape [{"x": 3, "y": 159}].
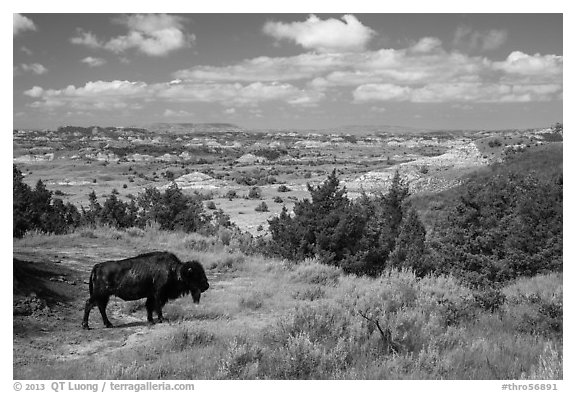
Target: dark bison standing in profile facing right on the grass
[{"x": 157, "y": 276}]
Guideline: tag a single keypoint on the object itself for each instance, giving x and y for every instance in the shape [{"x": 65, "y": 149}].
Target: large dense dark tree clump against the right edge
[{"x": 507, "y": 226}]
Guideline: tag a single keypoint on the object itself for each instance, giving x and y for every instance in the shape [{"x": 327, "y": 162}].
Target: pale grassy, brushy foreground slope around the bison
[{"x": 268, "y": 319}]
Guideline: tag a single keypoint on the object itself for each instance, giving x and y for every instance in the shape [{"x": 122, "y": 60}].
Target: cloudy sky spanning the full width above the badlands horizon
[{"x": 288, "y": 71}]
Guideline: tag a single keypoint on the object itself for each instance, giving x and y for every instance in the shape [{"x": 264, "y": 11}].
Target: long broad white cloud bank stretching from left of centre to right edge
[{"x": 416, "y": 73}]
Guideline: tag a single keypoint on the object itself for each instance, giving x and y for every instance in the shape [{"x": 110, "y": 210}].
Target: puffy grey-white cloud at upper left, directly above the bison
[{"x": 151, "y": 34}]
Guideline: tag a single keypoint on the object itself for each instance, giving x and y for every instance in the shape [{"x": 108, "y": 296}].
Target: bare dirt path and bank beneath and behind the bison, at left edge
[{"x": 50, "y": 289}]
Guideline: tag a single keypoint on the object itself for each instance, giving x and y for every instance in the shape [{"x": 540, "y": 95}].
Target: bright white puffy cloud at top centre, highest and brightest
[{"x": 330, "y": 35}]
